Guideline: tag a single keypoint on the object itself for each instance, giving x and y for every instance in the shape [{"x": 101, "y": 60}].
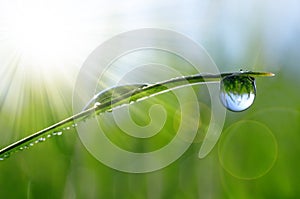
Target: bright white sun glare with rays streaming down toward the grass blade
[{"x": 42, "y": 46}]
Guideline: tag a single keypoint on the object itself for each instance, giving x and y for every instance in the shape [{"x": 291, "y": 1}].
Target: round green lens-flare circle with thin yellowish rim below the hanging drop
[{"x": 247, "y": 150}]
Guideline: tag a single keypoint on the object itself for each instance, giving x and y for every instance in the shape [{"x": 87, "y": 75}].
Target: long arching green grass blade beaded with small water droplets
[{"x": 115, "y": 97}]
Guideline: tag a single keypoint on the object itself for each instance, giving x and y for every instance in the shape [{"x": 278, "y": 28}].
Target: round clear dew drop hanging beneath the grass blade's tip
[{"x": 237, "y": 92}]
